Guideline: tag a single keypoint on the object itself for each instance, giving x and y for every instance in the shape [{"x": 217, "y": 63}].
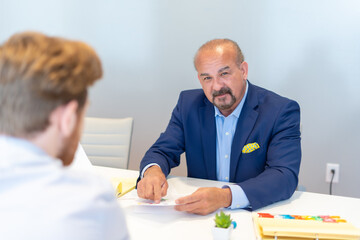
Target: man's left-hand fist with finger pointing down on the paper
[{"x": 153, "y": 185}]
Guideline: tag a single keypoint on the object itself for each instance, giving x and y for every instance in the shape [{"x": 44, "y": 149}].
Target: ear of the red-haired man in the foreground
[{"x": 69, "y": 118}]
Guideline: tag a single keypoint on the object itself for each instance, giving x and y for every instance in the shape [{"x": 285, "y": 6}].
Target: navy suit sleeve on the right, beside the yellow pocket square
[{"x": 280, "y": 178}]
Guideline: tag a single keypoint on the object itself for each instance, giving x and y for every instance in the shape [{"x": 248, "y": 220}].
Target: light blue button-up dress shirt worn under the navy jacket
[{"x": 225, "y": 130}]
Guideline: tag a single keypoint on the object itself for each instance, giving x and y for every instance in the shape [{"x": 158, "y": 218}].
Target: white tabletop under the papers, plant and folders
[{"x": 170, "y": 224}]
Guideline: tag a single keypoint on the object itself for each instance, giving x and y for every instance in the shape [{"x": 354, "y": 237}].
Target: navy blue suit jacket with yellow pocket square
[{"x": 267, "y": 175}]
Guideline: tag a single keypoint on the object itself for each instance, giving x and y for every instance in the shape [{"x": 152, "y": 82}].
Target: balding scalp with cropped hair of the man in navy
[{"x": 219, "y": 45}]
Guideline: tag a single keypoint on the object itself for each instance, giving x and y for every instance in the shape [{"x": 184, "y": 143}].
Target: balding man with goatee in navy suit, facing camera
[{"x": 231, "y": 131}]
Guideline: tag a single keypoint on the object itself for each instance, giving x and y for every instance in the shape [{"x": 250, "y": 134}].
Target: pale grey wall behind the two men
[{"x": 306, "y": 50}]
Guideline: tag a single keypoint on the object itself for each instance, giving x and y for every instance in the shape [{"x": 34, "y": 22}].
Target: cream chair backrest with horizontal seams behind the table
[{"x": 107, "y": 141}]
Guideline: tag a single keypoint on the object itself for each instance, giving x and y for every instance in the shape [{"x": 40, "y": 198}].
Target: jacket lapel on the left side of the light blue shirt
[{"x": 208, "y": 134}]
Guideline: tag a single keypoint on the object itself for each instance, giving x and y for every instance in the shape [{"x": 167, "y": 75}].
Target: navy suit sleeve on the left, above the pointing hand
[{"x": 169, "y": 146}]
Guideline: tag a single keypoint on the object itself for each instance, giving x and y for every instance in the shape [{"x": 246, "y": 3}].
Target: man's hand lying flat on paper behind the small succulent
[{"x": 205, "y": 200}]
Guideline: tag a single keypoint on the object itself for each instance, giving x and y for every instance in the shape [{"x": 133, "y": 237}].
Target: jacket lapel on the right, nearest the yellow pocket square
[{"x": 244, "y": 127}]
